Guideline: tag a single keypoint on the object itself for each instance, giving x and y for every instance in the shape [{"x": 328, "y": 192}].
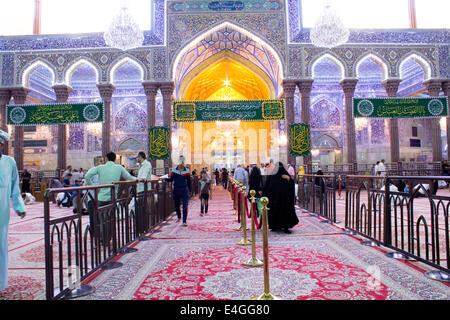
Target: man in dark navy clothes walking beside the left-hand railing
[{"x": 181, "y": 177}]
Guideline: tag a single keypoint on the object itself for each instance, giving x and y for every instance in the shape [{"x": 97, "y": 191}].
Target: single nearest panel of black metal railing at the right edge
[{"x": 417, "y": 235}]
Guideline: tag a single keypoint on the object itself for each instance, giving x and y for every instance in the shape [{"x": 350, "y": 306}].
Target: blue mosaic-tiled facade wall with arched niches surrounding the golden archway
[{"x": 413, "y": 55}]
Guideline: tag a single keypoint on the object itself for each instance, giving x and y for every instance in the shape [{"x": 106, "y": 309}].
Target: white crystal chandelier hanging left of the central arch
[{"x": 123, "y": 32}]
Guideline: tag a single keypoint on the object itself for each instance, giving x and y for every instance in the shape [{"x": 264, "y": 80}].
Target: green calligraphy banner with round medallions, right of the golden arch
[{"x": 432, "y": 107}]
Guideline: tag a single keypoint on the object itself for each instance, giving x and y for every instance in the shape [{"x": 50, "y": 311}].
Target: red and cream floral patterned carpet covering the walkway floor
[{"x": 202, "y": 261}]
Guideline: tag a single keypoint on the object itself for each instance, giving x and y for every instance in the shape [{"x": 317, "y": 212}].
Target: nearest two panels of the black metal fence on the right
[{"x": 390, "y": 212}]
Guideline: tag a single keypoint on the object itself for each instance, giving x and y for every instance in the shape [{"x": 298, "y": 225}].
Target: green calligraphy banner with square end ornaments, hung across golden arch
[{"x": 245, "y": 110}]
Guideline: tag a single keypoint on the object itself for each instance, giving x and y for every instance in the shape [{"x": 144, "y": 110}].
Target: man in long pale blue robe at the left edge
[{"x": 9, "y": 189}]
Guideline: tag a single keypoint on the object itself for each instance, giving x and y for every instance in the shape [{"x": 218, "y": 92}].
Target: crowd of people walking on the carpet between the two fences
[{"x": 278, "y": 185}]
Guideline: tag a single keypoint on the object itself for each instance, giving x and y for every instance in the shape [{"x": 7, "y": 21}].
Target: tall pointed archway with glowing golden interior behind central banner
[{"x": 227, "y": 64}]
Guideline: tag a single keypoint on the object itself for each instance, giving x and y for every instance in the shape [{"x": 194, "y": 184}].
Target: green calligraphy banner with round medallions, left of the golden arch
[{"x": 58, "y": 113}]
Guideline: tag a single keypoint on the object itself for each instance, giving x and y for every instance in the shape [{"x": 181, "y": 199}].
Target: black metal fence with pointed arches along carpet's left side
[{"x": 99, "y": 229}]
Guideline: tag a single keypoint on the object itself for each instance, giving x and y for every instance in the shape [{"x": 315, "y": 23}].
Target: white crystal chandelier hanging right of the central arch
[{"x": 329, "y": 31}]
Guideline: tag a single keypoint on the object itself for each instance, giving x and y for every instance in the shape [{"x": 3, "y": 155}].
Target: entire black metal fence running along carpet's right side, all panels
[{"x": 402, "y": 213}]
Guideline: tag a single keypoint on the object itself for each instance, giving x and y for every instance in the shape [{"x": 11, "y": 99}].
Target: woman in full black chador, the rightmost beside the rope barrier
[{"x": 280, "y": 190}]
